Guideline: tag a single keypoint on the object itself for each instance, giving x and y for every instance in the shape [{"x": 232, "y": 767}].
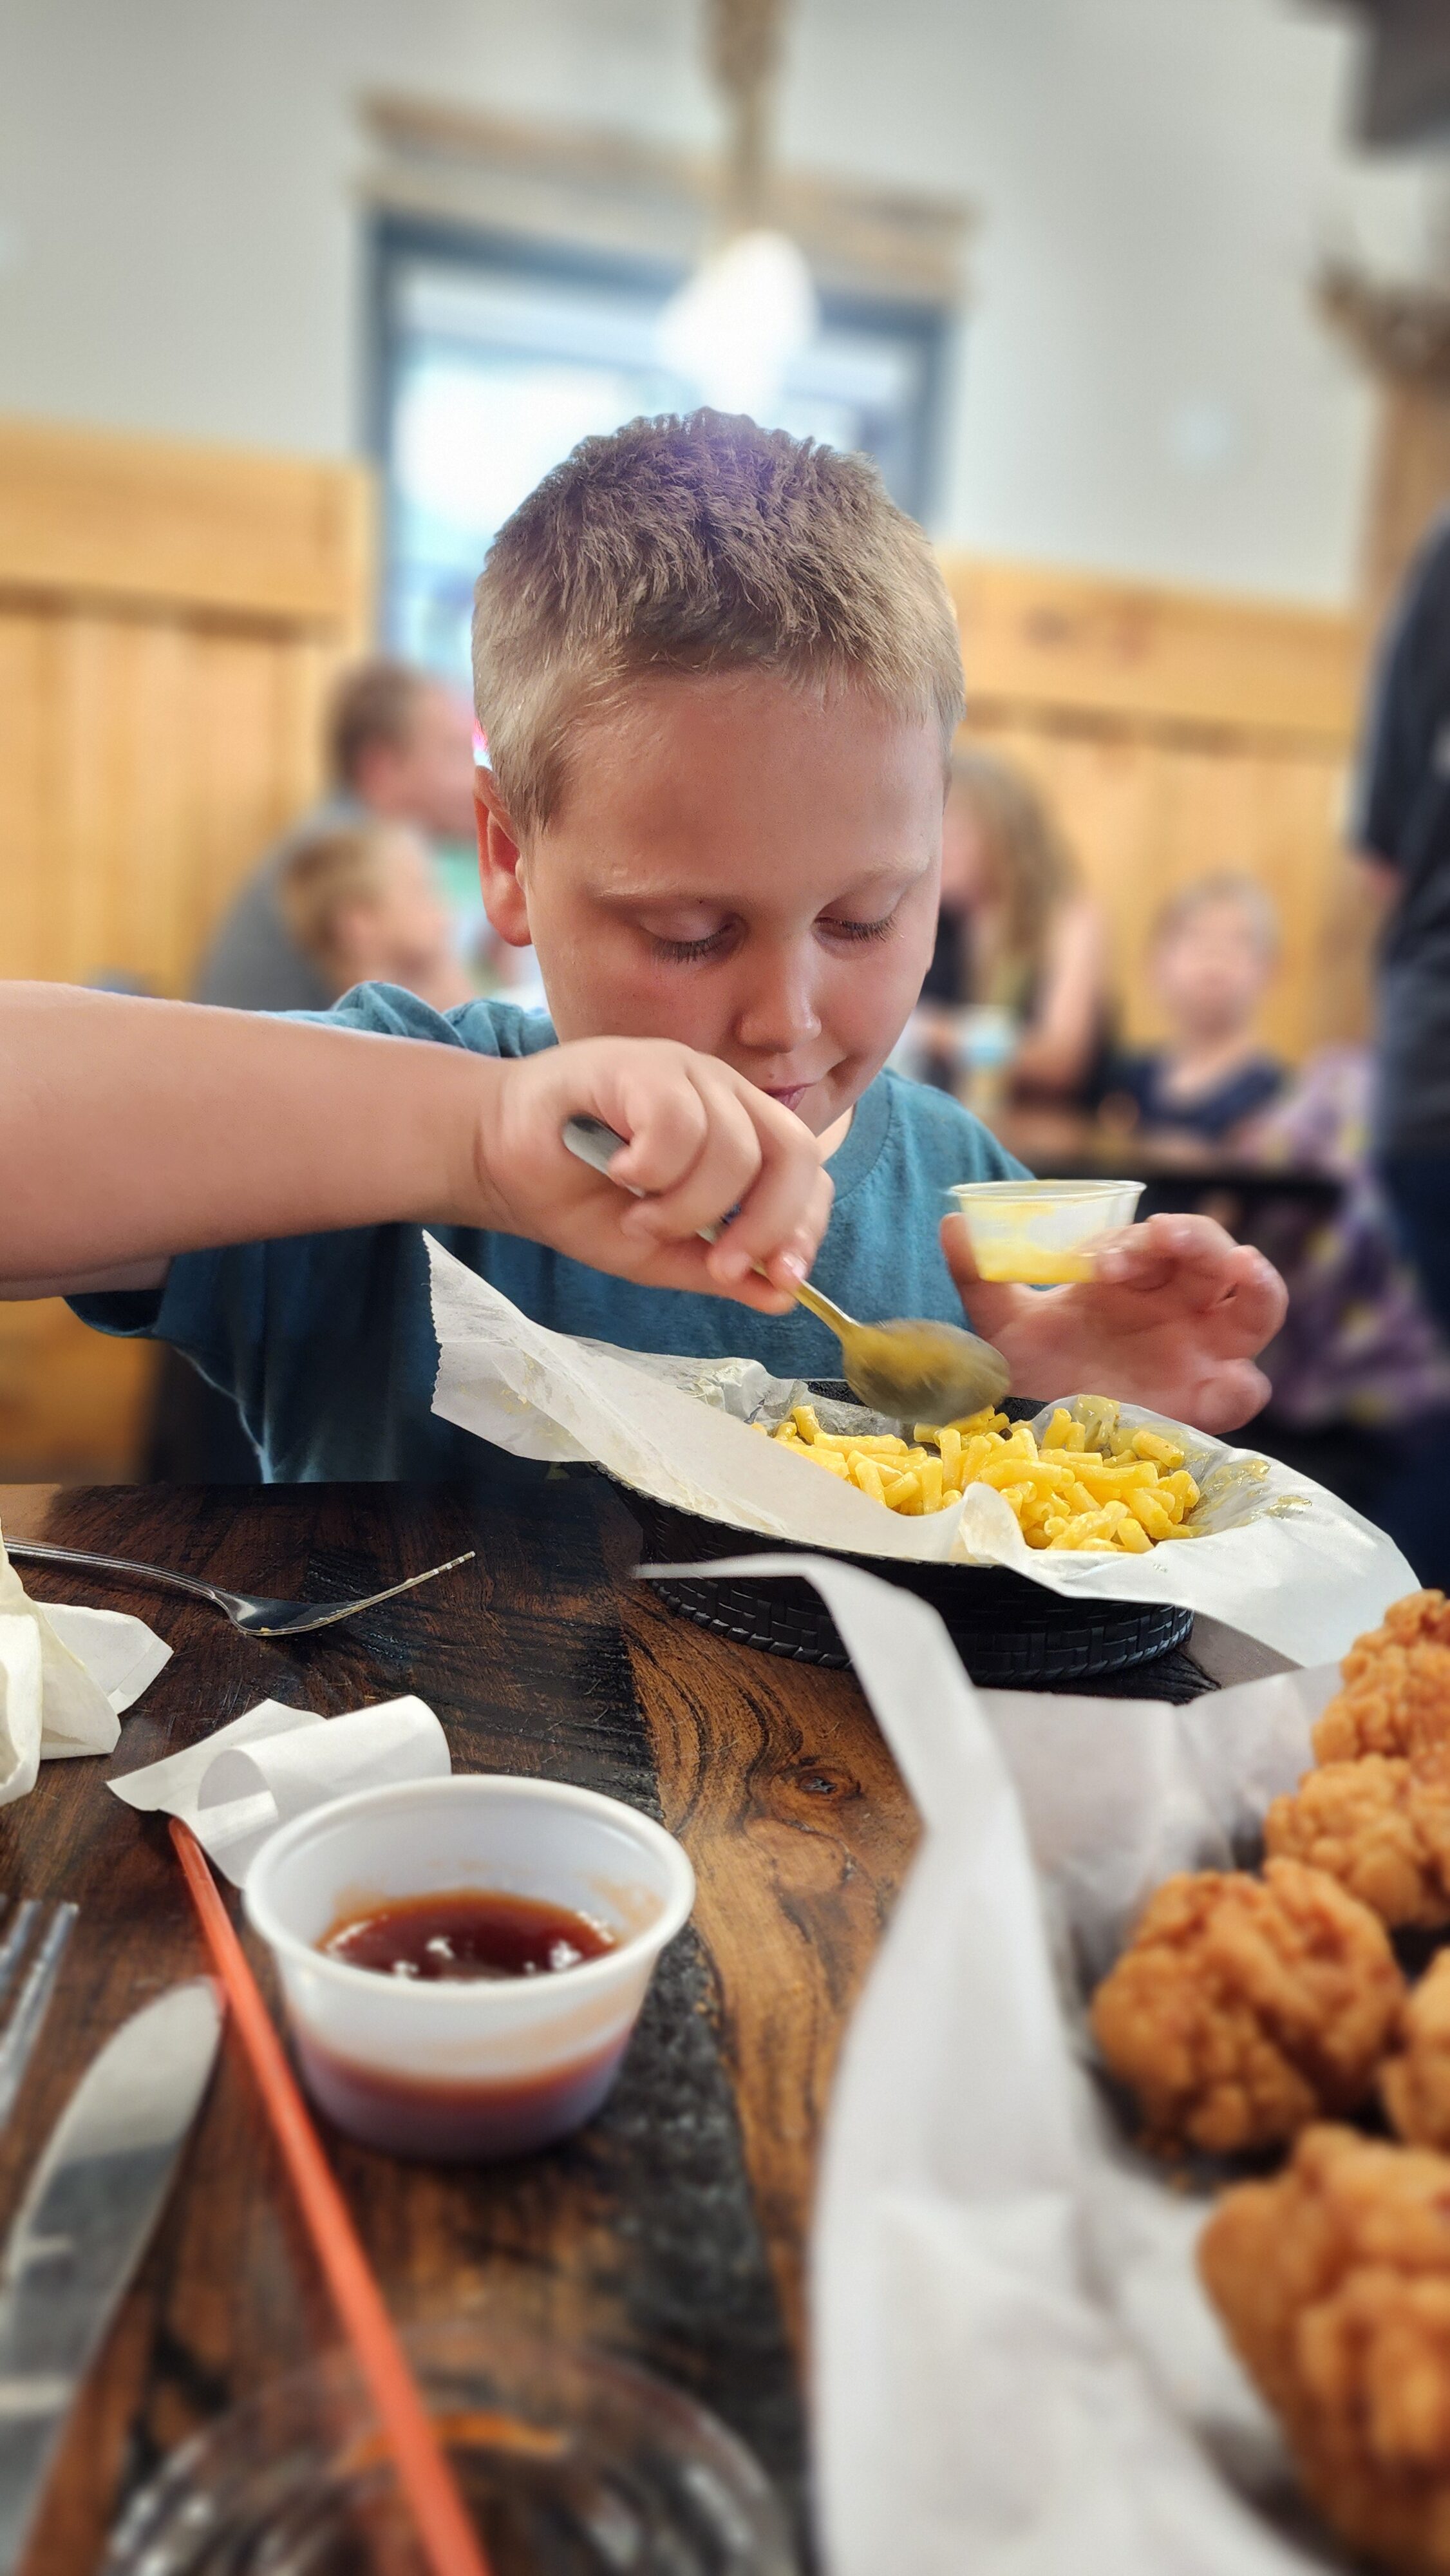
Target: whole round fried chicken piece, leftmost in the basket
[{"x": 1248, "y": 2008}]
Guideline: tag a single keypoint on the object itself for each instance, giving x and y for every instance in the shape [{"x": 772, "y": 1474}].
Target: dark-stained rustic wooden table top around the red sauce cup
[{"x": 673, "y": 2227}]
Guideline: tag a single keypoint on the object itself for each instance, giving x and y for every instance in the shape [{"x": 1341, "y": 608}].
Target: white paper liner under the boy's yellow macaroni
[{"x": 1279, "y": 1557}]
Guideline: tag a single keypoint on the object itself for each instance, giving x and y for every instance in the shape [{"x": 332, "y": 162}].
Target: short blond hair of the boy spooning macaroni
[{"x": 689, "y": 547}]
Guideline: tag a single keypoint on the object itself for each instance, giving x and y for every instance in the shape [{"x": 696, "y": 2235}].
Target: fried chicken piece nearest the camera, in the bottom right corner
[{"x": 1335, "y": 2289}]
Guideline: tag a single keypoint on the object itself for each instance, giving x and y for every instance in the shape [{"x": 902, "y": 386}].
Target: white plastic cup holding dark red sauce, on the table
[{"x": 470, "y": 2070}]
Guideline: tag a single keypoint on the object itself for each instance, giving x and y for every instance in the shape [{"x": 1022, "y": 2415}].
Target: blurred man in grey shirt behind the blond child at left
[{"x": 400, "y": 751}]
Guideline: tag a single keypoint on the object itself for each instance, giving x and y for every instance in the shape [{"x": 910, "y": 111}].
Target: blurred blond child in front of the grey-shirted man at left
[{"x": 364, "y": 908}]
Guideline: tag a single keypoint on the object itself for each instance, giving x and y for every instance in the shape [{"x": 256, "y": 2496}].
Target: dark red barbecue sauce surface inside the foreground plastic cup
[{"x": 465, "y": 1936}]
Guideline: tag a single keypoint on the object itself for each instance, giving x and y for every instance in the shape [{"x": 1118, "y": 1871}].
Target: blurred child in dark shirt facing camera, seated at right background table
[{"x": 1212, "y": 960}]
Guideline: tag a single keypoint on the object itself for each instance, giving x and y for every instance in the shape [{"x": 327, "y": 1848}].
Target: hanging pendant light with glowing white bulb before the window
[{"x": 751, "y": 308}]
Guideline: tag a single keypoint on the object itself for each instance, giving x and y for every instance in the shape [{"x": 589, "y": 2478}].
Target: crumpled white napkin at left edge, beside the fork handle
[{"x": 66, "y": 1681}]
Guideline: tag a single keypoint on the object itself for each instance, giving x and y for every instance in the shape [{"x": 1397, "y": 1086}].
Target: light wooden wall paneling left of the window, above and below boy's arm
[{"x": 169, "y": 627}]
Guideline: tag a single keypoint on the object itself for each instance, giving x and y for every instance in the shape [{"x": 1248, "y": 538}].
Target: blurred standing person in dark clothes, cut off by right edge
[{"x": 1405, "y": 836}]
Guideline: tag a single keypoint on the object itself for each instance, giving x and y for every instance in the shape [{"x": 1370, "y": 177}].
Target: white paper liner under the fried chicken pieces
[{"x": 1016, "y": 2371}]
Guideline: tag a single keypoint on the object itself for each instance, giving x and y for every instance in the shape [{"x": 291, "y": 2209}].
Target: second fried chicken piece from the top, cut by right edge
[{"x": 1374, "y": 1828}]
